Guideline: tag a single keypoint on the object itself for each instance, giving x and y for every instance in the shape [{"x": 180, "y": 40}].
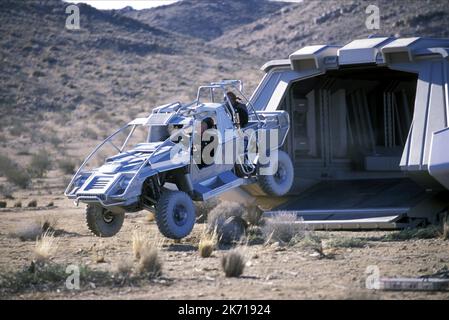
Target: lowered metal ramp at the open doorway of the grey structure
[{"x": 355, "y": 204}]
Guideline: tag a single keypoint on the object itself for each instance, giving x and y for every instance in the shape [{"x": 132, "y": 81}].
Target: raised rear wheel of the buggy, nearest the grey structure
[{"x": 279, "y": 183}]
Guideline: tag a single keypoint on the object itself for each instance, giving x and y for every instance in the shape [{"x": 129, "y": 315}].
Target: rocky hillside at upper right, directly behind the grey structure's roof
[{"x": 335, "y": 22}]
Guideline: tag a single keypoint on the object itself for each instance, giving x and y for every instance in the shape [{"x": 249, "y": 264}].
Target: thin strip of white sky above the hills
[{"x": 135, "y": 4}]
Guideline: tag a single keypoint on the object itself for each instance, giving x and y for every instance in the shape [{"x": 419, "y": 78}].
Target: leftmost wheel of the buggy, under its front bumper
[{"x": 103, "y": 223}]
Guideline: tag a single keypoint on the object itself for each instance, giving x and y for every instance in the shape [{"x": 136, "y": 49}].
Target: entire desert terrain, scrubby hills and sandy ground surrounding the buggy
[{"x": 62, "y": 91}]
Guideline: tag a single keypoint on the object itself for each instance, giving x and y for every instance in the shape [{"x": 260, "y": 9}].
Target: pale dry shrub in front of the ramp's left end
[{"x": 283, "y": 227}]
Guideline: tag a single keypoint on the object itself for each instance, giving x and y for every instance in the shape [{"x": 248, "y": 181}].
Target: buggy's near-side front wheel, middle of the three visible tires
[{"x": 175, "y": 214}]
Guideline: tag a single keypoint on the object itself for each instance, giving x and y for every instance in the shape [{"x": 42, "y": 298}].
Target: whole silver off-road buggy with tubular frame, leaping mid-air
[{"x": 158, "y": 162}]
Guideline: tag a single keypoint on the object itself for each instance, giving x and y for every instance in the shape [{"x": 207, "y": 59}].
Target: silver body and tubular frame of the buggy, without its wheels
[{"x": 118, "y": 183}]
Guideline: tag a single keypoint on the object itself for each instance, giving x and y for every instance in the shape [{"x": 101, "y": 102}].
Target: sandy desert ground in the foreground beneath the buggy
[{"x": 272, "y": 271}]
